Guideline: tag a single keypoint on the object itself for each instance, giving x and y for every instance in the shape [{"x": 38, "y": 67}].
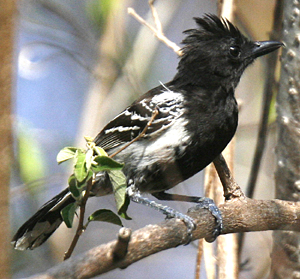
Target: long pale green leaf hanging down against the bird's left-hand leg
[{"x": 119, "y": 184}]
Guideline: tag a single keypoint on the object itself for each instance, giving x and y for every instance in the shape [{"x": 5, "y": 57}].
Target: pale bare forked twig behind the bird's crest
[{"x": 158, "y": 33}]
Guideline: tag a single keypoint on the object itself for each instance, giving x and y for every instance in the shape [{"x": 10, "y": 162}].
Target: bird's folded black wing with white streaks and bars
[{"x": 130, "y": 123}]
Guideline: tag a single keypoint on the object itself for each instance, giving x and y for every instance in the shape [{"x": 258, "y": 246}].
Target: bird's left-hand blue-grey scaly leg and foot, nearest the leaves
[{"x": 135, "y": 195}]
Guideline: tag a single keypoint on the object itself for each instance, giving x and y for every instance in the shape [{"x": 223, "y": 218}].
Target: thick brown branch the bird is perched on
[{"x": 239, "y": 215}]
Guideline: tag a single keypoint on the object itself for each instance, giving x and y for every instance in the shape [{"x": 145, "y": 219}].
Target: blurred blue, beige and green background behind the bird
[{"x": 78, "y": 64}]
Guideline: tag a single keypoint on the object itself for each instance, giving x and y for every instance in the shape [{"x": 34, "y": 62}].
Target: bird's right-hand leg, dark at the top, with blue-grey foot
[{"x": 205, "y": 203}]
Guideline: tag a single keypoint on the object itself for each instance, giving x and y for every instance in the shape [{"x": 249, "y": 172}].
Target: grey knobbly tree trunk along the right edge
[{"x": 285, "y": 255}]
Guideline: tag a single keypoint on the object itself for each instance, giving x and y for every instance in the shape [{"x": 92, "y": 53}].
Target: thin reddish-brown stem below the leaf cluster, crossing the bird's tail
[{"x": 80, "y": 226}]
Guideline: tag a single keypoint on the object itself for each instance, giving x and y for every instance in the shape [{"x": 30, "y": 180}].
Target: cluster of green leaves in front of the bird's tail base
[{"x": 87, "y": 163}]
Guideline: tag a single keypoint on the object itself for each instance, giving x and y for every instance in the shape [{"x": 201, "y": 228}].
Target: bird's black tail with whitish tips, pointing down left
[{"x": 43, "y": 223}]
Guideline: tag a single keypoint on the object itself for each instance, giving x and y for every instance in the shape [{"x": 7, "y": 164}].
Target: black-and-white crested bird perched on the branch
[{"x": 196, "y": 116}]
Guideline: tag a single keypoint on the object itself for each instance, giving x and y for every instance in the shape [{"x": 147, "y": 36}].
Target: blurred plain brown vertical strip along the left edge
[{"x": 7, "y": 8}]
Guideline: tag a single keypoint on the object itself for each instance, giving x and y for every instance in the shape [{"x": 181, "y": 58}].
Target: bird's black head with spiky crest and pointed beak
[{"x": 217, "y": 53}]
